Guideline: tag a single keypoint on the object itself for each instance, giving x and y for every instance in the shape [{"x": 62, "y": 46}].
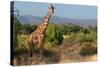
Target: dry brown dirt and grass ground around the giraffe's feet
[{"x": 61, "y": 54}]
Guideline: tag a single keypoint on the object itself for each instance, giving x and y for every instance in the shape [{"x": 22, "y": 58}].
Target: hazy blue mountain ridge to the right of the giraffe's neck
[{"x": 81, "y": 22}]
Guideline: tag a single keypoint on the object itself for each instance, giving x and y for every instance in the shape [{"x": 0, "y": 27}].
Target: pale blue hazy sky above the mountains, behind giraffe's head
[{"x": 62, "y": 10}]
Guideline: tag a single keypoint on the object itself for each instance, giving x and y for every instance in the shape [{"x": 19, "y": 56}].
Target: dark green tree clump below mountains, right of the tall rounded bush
[{"x": 67, "y": 29}]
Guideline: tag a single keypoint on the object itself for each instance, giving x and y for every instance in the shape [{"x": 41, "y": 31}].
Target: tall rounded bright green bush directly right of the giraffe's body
[{"x": 53, "y": 35}]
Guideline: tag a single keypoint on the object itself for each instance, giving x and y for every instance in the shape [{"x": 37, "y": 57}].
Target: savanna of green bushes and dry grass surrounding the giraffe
[{"x": 63, "y": 43}]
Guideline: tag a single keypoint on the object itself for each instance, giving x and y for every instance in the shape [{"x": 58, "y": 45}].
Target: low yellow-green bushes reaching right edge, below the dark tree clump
[{"x": 81, "y": 37}]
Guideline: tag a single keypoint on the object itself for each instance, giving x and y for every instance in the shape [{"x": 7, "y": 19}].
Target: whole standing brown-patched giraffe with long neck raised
[{"x": 37, "y": 37}]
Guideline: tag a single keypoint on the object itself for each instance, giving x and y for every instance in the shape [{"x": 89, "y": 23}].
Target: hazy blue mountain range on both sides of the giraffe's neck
[{"x": 36, "y": 20}]
